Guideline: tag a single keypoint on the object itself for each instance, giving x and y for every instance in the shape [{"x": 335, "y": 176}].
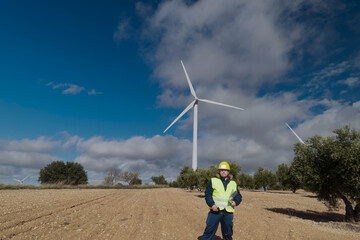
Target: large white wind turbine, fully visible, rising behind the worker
[{"x": 194, "y": 104}]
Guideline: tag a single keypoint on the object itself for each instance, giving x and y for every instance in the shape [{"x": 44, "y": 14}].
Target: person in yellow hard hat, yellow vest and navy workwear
[{"x": 221, "y": 195}]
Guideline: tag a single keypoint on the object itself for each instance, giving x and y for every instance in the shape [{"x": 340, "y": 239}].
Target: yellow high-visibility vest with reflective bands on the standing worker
[{"x": 222, "y": 197}]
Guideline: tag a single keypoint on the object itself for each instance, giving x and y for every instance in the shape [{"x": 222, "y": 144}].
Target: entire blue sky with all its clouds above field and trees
[{"x": 98, "y": 82}]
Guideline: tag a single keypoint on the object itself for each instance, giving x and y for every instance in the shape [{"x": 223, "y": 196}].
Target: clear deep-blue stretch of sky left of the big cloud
[{"x": 62, "y": 43}]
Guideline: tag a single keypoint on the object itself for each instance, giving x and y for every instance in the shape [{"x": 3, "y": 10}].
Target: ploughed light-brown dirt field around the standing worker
[{"x": 163, "y": 214}]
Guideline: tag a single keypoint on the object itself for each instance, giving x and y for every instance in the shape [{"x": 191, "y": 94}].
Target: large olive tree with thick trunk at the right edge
[{"x": 330, "y": 167}]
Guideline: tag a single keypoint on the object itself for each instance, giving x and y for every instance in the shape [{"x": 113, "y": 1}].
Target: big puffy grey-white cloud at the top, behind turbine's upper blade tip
[{"x": 236, "y": 42}]
